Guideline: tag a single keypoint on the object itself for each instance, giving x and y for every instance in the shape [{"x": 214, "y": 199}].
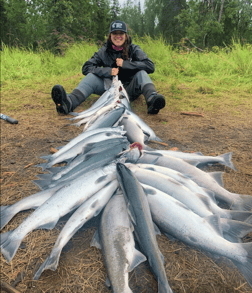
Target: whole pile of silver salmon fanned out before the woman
[{"x": 139, "y": 191}]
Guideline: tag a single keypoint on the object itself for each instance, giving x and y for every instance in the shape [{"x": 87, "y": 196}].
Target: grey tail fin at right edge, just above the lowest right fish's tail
[{"x": 235, "y": 230}]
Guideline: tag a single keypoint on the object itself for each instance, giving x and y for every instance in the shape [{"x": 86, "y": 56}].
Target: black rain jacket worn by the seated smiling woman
[{"x": 104, "y": 60}]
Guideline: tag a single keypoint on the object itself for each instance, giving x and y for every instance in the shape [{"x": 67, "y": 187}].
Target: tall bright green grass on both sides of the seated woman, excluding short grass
[{"x": 216, "y": 68}]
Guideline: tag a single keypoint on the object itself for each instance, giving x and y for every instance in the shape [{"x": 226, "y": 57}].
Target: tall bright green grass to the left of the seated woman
[{"x": 19, "y": 65}]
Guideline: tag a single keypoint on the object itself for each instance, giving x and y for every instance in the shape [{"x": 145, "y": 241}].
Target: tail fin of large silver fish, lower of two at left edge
[{"x": 9, "y": 246}]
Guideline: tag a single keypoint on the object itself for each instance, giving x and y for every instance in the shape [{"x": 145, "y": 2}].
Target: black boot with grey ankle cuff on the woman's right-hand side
[{"x": 154, "y": 101}]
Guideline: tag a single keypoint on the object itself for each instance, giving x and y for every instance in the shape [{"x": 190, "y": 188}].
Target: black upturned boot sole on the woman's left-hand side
[{"x": 60, "y": 99}]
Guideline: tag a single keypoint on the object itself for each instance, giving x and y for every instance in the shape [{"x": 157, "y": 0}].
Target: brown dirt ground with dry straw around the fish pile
[{"x": 81, "y": 267}]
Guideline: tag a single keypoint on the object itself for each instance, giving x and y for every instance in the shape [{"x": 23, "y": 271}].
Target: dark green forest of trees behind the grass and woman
[{"x": 186, "y": 24}]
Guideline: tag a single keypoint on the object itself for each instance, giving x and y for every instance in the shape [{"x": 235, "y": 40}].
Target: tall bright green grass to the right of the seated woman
[{"x": 222, "y": 66}]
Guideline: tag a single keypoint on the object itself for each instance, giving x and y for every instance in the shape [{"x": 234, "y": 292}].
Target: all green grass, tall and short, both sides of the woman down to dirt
[{"x": 196, "y": 81}]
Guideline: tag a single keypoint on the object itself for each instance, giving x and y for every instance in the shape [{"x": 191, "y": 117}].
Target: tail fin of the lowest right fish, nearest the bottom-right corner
[{"x": 246, "y": 268}]
